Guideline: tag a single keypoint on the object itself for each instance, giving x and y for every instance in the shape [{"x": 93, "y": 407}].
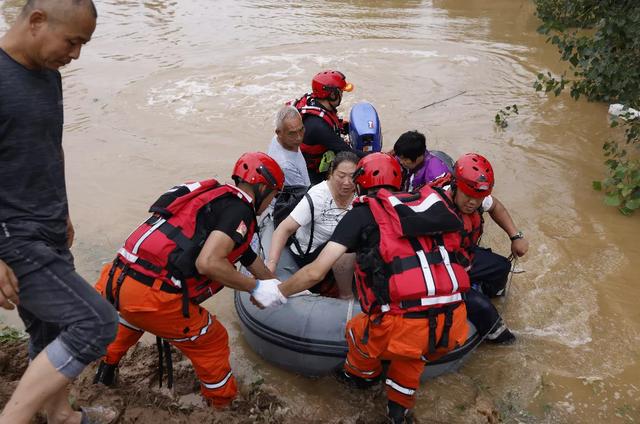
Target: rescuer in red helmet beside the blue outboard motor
[{"x": 323, "y": 128}]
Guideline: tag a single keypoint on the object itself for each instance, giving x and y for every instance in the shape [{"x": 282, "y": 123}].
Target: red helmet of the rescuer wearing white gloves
[{"x": 258, "y": 168}]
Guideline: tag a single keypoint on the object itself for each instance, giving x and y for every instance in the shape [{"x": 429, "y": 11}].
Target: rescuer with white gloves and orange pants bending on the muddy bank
[{"x": 182, "y": 255}]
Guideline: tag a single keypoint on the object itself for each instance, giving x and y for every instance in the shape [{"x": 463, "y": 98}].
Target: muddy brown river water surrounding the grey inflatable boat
[{"x": 174, "y": 90}]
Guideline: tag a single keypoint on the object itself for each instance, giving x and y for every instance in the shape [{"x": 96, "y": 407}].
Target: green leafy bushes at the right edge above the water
[{"x": 600, "y": 40}]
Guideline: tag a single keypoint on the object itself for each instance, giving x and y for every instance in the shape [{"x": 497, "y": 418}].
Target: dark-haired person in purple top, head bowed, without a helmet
[{"x": 419, "y": 166}]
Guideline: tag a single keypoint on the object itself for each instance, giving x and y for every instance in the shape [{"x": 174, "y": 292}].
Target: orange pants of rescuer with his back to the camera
[{"x": 402, "y": 341}]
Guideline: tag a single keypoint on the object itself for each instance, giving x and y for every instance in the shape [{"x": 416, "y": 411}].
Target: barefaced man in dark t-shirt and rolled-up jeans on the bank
[{"x": 68, "y": 323}]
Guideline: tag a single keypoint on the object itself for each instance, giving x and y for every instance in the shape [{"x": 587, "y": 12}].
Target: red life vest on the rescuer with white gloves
[{"x": 167, "y": 244}]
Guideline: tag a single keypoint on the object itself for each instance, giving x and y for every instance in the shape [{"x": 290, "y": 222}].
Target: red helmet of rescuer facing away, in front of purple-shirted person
[{"x": 378, "y": 169}]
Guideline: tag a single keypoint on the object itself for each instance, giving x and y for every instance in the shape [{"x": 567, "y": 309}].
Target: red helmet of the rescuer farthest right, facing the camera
[{"x": 474, "y": 175}]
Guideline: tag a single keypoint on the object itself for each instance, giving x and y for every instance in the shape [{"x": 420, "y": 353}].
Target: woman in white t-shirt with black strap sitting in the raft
[{"x": 313, "y": 221}]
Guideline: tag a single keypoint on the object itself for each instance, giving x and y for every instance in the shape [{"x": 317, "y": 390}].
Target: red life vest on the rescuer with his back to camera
[{"x": 410, "y": 273}]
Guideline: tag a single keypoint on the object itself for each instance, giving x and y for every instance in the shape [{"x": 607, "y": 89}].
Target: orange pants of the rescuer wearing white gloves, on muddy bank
[{"x": 200, "y": 337}]
